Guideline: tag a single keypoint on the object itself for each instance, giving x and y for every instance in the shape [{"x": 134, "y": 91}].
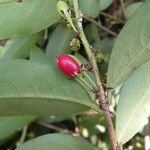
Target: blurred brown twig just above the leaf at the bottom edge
[{"x": 50, "y": 126}]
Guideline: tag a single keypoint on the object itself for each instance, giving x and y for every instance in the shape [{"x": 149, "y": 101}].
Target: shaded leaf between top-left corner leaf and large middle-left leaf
[{"x": 19, "y": 47}]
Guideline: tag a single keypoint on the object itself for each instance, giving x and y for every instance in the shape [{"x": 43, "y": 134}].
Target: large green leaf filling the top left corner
[{"x": 26, "y": 17}]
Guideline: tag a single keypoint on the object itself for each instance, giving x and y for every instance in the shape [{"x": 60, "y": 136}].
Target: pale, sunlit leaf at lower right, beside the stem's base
[{"x": 134, "y": 104}]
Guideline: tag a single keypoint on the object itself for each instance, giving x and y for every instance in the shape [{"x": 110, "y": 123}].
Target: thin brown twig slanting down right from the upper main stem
[{"x": 100, "y": 26}]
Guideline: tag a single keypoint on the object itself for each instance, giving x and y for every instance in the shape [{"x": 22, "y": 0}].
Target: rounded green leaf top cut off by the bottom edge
[{"x": 57, "y": 142}]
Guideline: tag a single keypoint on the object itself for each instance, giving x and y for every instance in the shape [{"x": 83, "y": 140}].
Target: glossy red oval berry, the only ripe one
[{"x": 68, "y": 65}]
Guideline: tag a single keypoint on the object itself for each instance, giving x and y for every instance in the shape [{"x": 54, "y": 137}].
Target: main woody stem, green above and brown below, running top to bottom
[{"x": 103, "y": 103}]
